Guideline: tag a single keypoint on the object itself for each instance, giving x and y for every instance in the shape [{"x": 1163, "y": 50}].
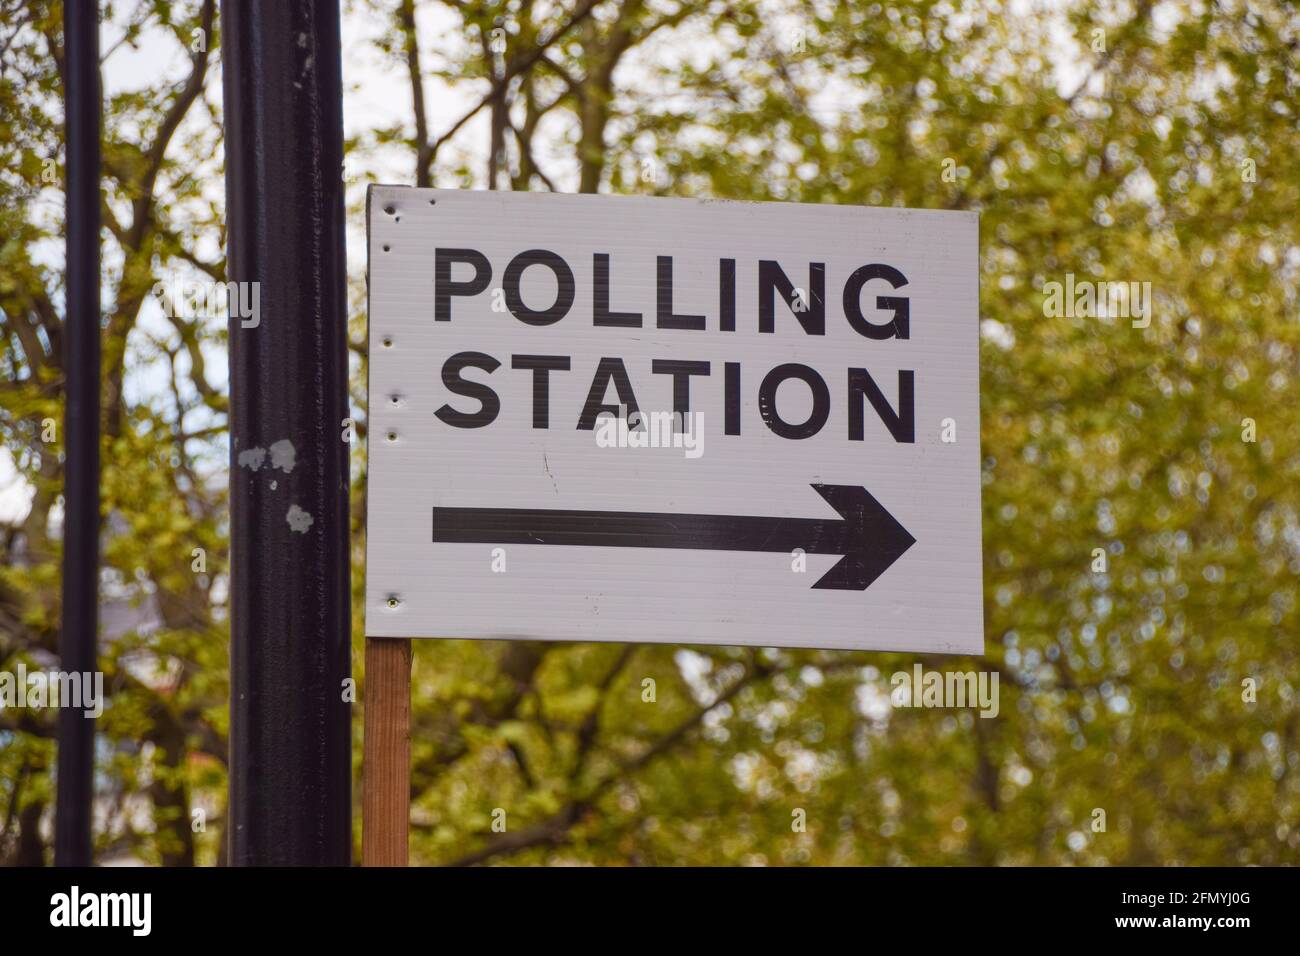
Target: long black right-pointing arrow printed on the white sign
[{"x": 866, "y": 535}]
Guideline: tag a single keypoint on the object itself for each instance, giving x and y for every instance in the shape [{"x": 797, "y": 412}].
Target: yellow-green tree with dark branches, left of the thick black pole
[{"x": 164, "y": 732}]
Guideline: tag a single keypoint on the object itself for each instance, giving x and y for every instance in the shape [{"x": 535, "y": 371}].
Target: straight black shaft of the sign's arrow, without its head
[{"x": 638, "y": 530}]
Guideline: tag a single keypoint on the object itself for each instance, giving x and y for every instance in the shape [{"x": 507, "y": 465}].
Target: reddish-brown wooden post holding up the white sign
[{"x": 387, "y": 763}]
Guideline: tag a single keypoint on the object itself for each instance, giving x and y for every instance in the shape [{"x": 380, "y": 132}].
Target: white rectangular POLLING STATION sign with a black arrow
[{"x": 674, "y": 421}]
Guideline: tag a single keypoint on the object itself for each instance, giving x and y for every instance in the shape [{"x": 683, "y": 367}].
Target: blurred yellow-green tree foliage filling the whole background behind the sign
[{"x": 1159, "y": 150}]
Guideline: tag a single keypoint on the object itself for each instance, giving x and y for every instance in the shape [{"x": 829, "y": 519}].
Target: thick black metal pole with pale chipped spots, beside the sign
[{"x": 291, "y": 651}]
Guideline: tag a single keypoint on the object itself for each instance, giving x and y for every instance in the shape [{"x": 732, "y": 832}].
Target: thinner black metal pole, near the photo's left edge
[{"x": 79, "y": 635}]
